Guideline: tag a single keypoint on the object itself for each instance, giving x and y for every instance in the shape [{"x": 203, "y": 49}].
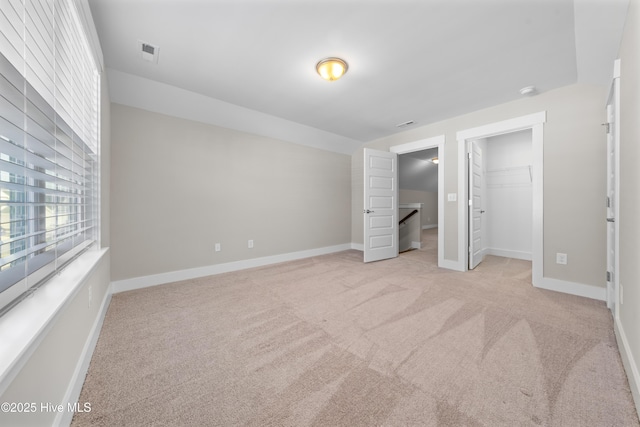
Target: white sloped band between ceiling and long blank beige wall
[{"x": 162, "y": 98}]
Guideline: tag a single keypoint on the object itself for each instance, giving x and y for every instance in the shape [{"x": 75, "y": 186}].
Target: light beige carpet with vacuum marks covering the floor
[{"x": 330, "y": 341}]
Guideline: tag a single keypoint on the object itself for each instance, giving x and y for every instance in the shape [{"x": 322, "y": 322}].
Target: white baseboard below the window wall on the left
[{"x": 63, "y": 418}]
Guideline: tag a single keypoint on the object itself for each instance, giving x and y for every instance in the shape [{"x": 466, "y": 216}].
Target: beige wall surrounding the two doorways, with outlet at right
[{"x": 574, "y": 176}]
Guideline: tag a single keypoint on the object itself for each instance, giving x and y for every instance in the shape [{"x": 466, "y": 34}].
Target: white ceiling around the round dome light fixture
[{"x": 409, "y": 60}]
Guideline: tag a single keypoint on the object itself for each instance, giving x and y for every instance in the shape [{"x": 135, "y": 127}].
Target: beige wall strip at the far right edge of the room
[{"x": 629, "y": 216}]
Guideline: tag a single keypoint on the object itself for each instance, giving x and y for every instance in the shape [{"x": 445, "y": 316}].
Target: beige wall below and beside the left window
[{"x": 46, "y": 375}]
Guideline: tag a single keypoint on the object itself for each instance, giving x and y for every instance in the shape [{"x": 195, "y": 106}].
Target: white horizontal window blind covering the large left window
[{"x": 49, "y": 97}]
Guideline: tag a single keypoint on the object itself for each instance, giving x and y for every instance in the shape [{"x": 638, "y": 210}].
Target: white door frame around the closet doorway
[{"x": 535, "y": 122}]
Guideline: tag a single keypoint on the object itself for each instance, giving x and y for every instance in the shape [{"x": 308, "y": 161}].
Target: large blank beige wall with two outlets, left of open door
[{"x": 180, "y": 186}]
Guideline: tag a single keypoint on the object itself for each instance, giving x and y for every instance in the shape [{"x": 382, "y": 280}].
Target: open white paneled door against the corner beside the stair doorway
[{"x": 380, "y": 205}]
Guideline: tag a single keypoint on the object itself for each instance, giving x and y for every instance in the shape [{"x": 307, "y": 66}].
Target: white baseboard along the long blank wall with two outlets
[{"x": 210, "y": 270}]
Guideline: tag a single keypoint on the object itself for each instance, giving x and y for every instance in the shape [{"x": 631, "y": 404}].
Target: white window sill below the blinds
[{"x": 24, "y": 326}]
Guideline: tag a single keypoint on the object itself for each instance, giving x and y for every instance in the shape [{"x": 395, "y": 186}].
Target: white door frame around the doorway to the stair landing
[{"x": 424, "y": 144}]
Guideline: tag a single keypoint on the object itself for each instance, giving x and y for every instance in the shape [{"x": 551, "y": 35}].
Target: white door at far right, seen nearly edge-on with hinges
[{"x": 612, "y": 190}]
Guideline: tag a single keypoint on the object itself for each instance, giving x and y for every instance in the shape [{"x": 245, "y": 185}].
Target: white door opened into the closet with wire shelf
[{"x": 476, "y": 252}]
